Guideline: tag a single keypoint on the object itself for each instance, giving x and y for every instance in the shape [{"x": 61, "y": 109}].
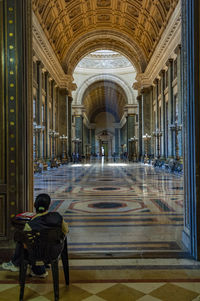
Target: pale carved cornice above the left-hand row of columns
[{"x": 45, "y": 53}]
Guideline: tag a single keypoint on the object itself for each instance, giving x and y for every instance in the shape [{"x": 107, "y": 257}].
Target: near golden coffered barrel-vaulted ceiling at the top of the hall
[{"x": 75, "y": 28}]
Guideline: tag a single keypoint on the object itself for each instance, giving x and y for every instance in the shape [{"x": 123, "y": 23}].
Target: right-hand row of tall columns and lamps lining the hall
[{"x": 160, "y": 110}]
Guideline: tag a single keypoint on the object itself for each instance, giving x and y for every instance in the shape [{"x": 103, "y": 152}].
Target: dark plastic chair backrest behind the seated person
[{"x": 45, "y": 245}]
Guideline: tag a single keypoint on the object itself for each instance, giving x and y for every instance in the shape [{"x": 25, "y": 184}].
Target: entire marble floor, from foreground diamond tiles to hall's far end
[{"x": 116, "y": 211}]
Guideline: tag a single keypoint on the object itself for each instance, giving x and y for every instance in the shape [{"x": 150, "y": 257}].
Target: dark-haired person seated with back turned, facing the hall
[{"x": 42, "y": 220}]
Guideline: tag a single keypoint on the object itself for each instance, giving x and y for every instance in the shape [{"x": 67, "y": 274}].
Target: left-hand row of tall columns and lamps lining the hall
[{"x": 51, "y": 116}]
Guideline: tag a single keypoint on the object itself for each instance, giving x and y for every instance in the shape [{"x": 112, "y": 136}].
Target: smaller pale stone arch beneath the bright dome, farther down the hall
[{"x": 78, "y": 99}]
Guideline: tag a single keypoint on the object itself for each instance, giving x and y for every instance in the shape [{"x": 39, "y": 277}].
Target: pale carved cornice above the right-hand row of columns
[{"x": 165, "y": 49}]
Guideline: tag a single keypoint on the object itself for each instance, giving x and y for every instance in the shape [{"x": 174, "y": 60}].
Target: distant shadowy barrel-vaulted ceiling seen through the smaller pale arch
[{"x": 104, "y": 96}]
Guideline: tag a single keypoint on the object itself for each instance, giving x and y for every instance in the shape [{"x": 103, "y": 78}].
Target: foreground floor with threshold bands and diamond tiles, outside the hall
[{"x": 100, "y": 280}]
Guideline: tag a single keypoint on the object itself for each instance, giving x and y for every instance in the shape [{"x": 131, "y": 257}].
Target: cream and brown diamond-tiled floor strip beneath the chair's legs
[{"x": 108, "y": 292}]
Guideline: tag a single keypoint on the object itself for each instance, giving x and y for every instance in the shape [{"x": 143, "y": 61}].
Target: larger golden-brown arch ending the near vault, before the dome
[{"x": 106, "y": 39}]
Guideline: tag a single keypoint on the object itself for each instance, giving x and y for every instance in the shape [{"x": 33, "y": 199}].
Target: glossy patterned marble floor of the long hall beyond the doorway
[{"x": 117, "y": 209}]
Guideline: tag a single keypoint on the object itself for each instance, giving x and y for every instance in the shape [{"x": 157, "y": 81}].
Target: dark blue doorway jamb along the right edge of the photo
[{"x": 190, "y": 58}]
